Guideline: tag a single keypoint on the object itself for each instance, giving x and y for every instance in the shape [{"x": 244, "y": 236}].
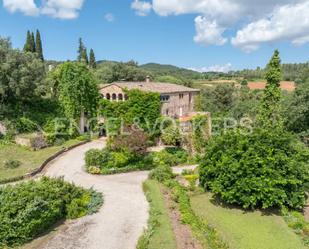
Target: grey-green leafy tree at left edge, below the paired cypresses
[{"x": 21, "y": 74}]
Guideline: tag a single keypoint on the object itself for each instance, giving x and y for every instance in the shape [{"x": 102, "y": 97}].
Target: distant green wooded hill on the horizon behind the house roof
[{"x": 162, "y": 70}]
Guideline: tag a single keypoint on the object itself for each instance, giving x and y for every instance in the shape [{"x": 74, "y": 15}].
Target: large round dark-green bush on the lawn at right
[{"x": 268, "y": 168}]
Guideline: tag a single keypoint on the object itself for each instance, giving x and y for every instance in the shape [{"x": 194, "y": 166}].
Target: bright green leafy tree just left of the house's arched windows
[{"x": 76, "y": 89}]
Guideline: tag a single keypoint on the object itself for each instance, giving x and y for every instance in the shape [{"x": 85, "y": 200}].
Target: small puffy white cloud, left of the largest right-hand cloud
[{"x": 208, "y": 32}]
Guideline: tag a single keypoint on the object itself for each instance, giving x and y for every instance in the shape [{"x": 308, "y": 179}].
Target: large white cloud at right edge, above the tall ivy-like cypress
[{"x": 288, "y": 22}]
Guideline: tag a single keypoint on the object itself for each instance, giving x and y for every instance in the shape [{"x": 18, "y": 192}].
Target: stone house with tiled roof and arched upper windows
[{"x": 177, "y": 100}]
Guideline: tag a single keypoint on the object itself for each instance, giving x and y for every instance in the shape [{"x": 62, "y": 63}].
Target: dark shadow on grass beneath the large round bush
[{"x": 217, "y": 201}]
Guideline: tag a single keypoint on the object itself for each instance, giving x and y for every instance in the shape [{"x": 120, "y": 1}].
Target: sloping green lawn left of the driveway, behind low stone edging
[{"x": 30, "y": 159}]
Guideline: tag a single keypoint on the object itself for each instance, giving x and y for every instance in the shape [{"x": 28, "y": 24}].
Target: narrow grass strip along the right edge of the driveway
[{"x": 160, "y": 234}]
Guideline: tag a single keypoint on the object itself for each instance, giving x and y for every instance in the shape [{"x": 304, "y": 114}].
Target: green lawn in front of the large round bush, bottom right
[{"x": 246, "y": 230}]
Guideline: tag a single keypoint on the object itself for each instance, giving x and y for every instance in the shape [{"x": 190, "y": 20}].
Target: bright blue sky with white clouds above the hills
[{"x": 159, "y": 32}]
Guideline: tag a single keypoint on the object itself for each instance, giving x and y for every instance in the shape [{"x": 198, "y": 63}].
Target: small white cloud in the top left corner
[{"x": 27, "y": 7}]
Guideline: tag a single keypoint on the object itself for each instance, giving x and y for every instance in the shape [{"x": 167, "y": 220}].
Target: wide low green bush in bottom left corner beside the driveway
[{"x": 29, "y": 208}]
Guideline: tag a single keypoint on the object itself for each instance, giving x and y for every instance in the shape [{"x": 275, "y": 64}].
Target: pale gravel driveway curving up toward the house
[{"x": 123, "y": 216}]
